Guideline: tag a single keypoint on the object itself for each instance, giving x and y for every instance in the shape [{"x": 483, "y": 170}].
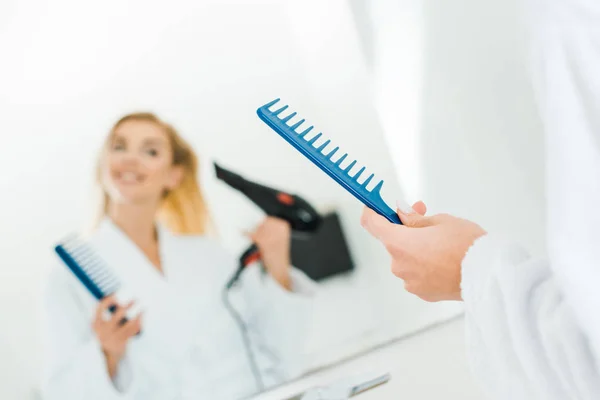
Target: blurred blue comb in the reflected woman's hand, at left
[{"x": 88, "y": 267}]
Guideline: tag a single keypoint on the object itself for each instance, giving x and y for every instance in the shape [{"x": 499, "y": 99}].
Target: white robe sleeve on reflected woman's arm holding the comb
[{"x": 75, "y": 365}]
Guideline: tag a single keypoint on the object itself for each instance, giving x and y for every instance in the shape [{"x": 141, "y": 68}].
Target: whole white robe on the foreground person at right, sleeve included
[{"x": 533, "y": 326}]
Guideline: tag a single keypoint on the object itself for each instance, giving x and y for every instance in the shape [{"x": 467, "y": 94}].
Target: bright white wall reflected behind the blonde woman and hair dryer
[{"x": 74, "y": 67}]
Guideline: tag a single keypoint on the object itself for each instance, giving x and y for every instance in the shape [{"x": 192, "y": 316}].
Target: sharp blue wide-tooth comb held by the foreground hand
[{"x": 324, "y": 160}]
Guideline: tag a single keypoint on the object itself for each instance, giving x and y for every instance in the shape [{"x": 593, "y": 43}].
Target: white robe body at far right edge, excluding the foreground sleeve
[{"x": 565, "y": 66}]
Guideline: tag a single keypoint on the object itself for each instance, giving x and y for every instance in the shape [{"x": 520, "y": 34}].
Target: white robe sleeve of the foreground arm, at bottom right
[{"x": 522, "y": 338}]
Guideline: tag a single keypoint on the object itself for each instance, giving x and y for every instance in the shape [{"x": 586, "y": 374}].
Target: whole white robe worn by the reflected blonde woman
[{"x": 190, "y": 347}]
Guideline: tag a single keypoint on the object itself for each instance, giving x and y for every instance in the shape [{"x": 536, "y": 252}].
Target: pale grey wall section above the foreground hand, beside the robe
[{"x": 482, "y": 141}]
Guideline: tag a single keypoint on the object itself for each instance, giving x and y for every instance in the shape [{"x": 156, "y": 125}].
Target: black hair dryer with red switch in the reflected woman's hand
[{"x": 301, "y": 216}]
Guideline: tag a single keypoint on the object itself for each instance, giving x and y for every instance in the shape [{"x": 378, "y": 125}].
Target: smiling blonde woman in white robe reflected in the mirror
[{"x": 152, "y": 234}]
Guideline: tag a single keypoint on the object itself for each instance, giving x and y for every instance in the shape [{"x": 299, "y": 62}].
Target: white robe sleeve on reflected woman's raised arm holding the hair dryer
[{"x": 278, "y": 320}]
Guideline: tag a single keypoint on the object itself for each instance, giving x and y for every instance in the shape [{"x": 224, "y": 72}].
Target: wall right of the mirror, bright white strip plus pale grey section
[{"x": 452, "y": 87}]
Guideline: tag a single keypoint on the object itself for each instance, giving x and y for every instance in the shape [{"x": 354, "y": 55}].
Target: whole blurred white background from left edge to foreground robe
[{"x": 419, "y": 91}]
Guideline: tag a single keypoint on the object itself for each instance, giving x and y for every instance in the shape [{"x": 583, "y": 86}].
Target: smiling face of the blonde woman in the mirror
[{"x": 137, "y": 167}]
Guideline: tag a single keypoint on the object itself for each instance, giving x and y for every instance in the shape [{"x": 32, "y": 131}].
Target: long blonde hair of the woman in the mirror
[{"x": 183, "y": 210}]
